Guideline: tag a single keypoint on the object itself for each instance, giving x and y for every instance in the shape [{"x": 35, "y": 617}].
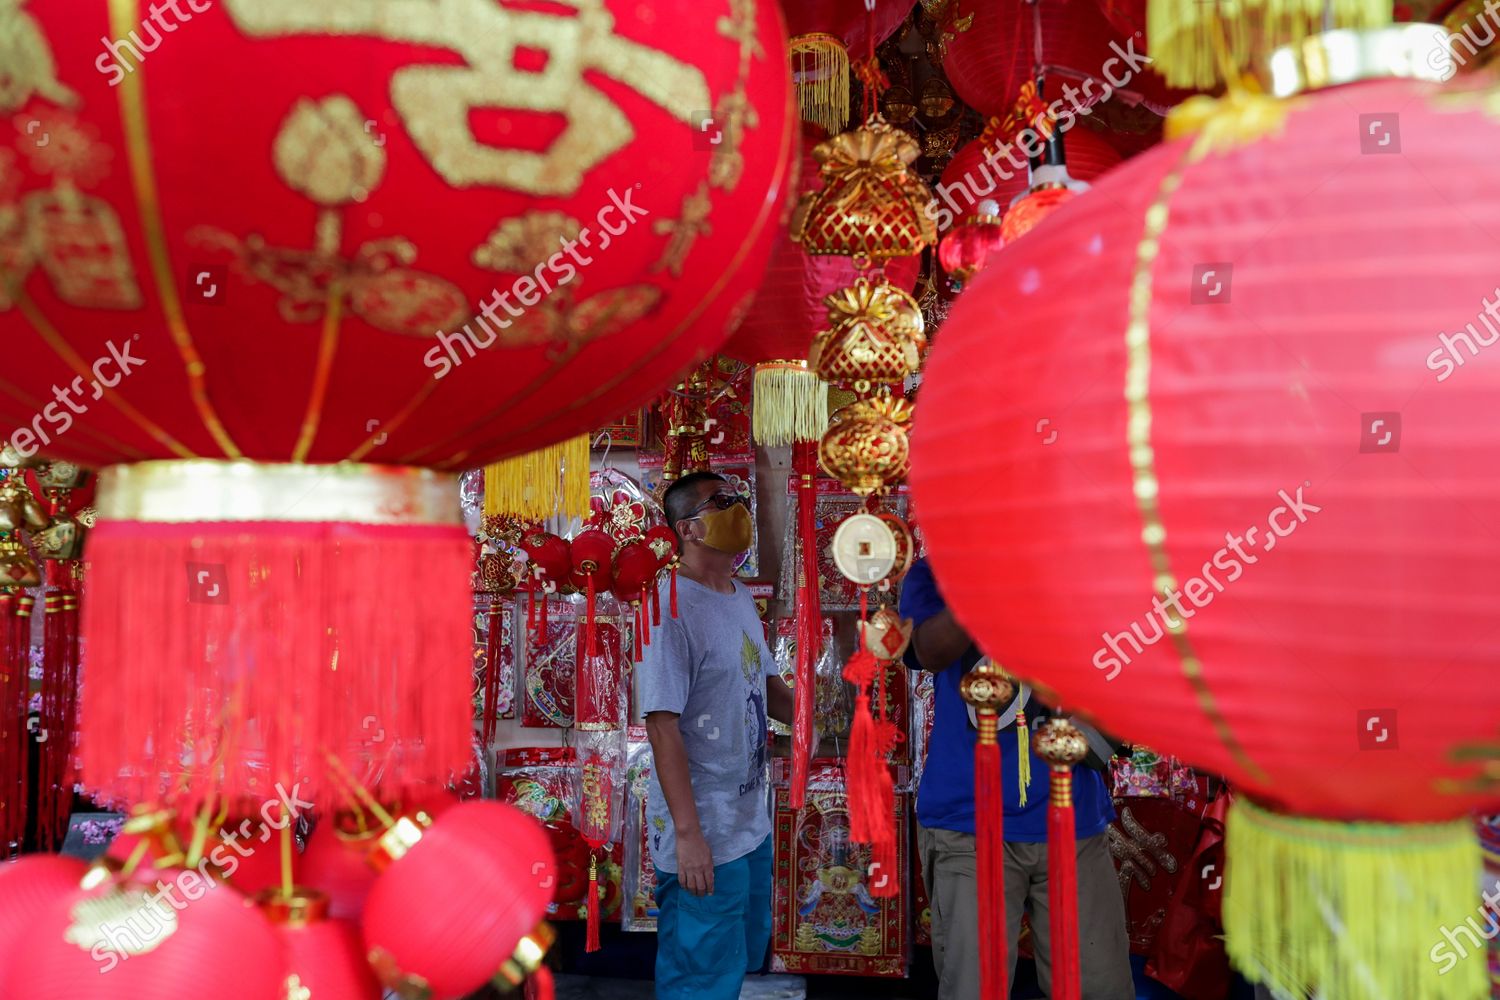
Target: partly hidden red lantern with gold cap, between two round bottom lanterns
[{"x": 325, "y": 957}]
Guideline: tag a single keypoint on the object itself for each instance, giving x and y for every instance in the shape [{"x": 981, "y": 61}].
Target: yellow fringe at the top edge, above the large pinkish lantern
[{"x": 1195, "y": 43}]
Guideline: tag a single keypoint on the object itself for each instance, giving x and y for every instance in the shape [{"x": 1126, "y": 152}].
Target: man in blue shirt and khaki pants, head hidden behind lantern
[{"x": 946, "y": 828}]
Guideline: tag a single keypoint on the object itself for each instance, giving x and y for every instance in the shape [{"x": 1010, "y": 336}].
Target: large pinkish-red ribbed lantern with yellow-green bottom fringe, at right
[{"x": 1228, "y": 504}]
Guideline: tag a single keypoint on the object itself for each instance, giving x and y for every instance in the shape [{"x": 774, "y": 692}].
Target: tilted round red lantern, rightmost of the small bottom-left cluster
[{"x": 490, "y": 899}]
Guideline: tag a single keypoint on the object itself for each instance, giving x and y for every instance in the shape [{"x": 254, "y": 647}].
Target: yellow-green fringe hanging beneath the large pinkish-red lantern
[{"x": 1355, "y": 911}]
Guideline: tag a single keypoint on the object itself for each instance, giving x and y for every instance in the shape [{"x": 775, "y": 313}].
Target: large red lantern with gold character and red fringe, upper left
[{"x": 439, "y": 238}]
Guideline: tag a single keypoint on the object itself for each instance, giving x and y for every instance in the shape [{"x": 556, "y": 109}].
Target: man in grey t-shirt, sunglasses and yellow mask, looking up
[{"x": 706, "y": 689}]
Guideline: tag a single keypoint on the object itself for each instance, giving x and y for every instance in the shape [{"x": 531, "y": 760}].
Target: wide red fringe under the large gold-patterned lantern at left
[{"x": 269, "y": 650}]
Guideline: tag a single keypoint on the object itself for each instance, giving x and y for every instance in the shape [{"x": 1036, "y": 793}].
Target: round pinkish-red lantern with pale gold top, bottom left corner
[{"x": 127, "y": 938}]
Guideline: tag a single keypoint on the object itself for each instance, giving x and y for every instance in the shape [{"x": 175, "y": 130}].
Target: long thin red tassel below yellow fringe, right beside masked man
[{"x": 809, "y": 621}]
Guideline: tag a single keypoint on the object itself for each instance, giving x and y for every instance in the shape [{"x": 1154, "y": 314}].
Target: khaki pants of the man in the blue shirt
[{"x": 947, "y": 861}]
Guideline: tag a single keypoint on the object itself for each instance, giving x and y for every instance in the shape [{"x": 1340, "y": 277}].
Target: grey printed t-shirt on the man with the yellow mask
[{"x": 710, "y": 665}]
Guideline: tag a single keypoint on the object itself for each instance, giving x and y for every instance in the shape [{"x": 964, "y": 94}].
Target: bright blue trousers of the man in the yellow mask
[{"x": 706, "y": 945}]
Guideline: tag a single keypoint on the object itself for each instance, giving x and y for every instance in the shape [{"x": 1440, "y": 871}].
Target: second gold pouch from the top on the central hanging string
[{"x": 877, "y": 335}]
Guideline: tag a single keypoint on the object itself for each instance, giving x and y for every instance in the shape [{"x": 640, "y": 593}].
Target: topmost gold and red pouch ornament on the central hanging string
[{"x": 872, "y": 205}]
